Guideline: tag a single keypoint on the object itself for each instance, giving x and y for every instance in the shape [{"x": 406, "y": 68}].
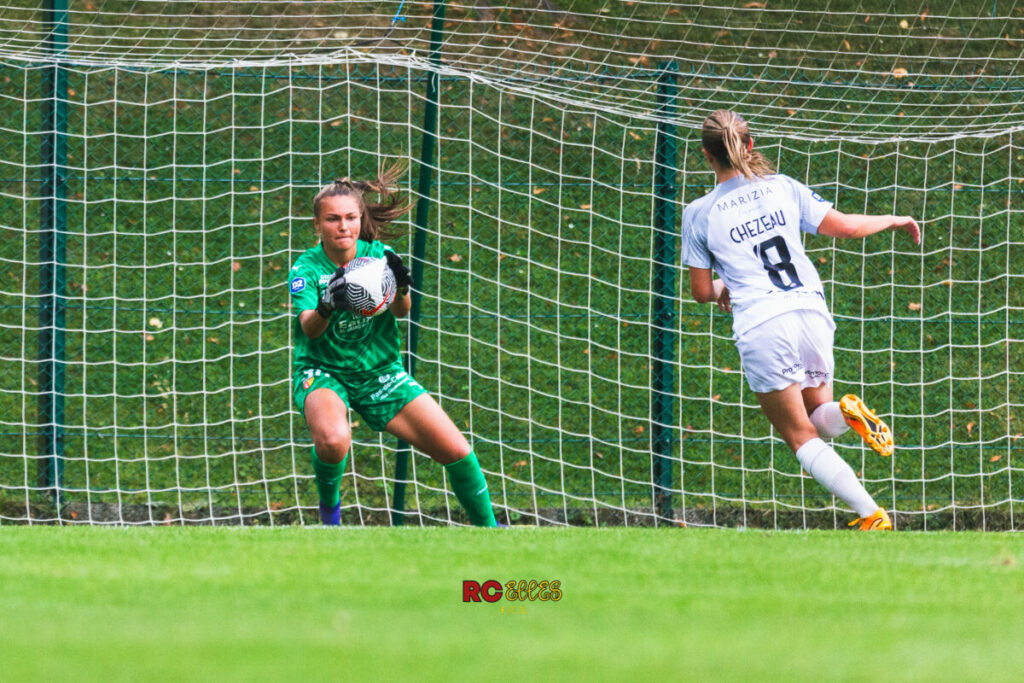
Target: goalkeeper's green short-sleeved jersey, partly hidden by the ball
[{"x": 353, "y": 347}]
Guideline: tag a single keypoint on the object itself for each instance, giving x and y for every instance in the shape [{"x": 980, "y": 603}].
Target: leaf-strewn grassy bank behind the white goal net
[{"x": 157, "y": 166}]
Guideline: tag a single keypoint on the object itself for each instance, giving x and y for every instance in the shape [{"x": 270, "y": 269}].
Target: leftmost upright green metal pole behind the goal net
[{"x": 54, "y": 227}]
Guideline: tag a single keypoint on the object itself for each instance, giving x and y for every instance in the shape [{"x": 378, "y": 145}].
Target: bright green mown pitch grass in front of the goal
[{"x": 295, "y": 605}]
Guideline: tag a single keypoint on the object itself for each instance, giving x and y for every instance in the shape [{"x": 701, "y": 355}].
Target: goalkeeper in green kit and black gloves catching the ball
[{"x": 345, "y": 362}]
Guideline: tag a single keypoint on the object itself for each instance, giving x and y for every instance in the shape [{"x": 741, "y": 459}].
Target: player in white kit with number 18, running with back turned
[{"x": 748, "y": 231}]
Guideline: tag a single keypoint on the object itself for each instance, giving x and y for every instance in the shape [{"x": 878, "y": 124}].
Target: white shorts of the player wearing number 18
[{"x": 795, "y": 348}]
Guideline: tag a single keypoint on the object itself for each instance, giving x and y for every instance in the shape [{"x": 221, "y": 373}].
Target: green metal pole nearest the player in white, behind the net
[{"x": 663, "y": 369}]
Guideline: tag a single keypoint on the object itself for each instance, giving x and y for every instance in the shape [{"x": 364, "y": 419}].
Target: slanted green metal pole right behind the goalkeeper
[{"x": 420, "y": 239}]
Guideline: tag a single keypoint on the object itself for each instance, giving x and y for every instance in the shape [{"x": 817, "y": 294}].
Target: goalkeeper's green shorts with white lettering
[{"x": 377, "y": 399}]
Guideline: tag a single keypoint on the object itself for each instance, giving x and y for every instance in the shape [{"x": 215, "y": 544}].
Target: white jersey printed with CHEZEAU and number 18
[{"x": 749, "y": 232}]
